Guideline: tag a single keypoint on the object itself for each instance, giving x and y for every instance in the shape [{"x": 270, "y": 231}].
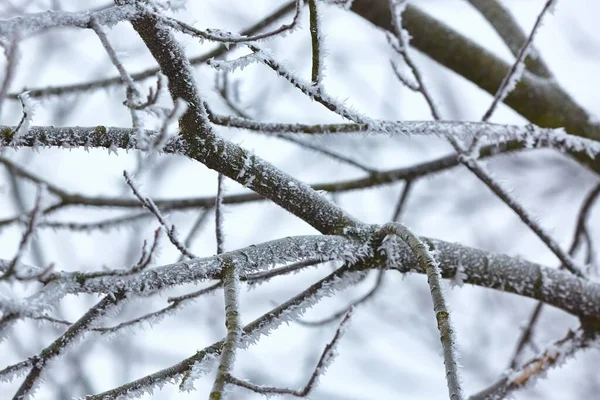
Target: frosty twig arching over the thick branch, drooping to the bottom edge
[{"x": 429, "y": 264}]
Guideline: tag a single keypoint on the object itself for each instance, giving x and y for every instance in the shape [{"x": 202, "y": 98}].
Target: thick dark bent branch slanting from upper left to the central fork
[{"x": 225, "y": 157}]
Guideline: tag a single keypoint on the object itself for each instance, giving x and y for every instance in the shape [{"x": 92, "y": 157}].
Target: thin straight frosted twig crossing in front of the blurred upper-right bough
[{"x": 516, "y": 71}]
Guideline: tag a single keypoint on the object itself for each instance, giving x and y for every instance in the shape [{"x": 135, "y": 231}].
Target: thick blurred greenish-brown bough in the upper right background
[{"x": 543, "y": 102}]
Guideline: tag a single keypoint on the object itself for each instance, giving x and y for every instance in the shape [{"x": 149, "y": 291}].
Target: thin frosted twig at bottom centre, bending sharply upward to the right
[{"x": 327, "y": 357}]
